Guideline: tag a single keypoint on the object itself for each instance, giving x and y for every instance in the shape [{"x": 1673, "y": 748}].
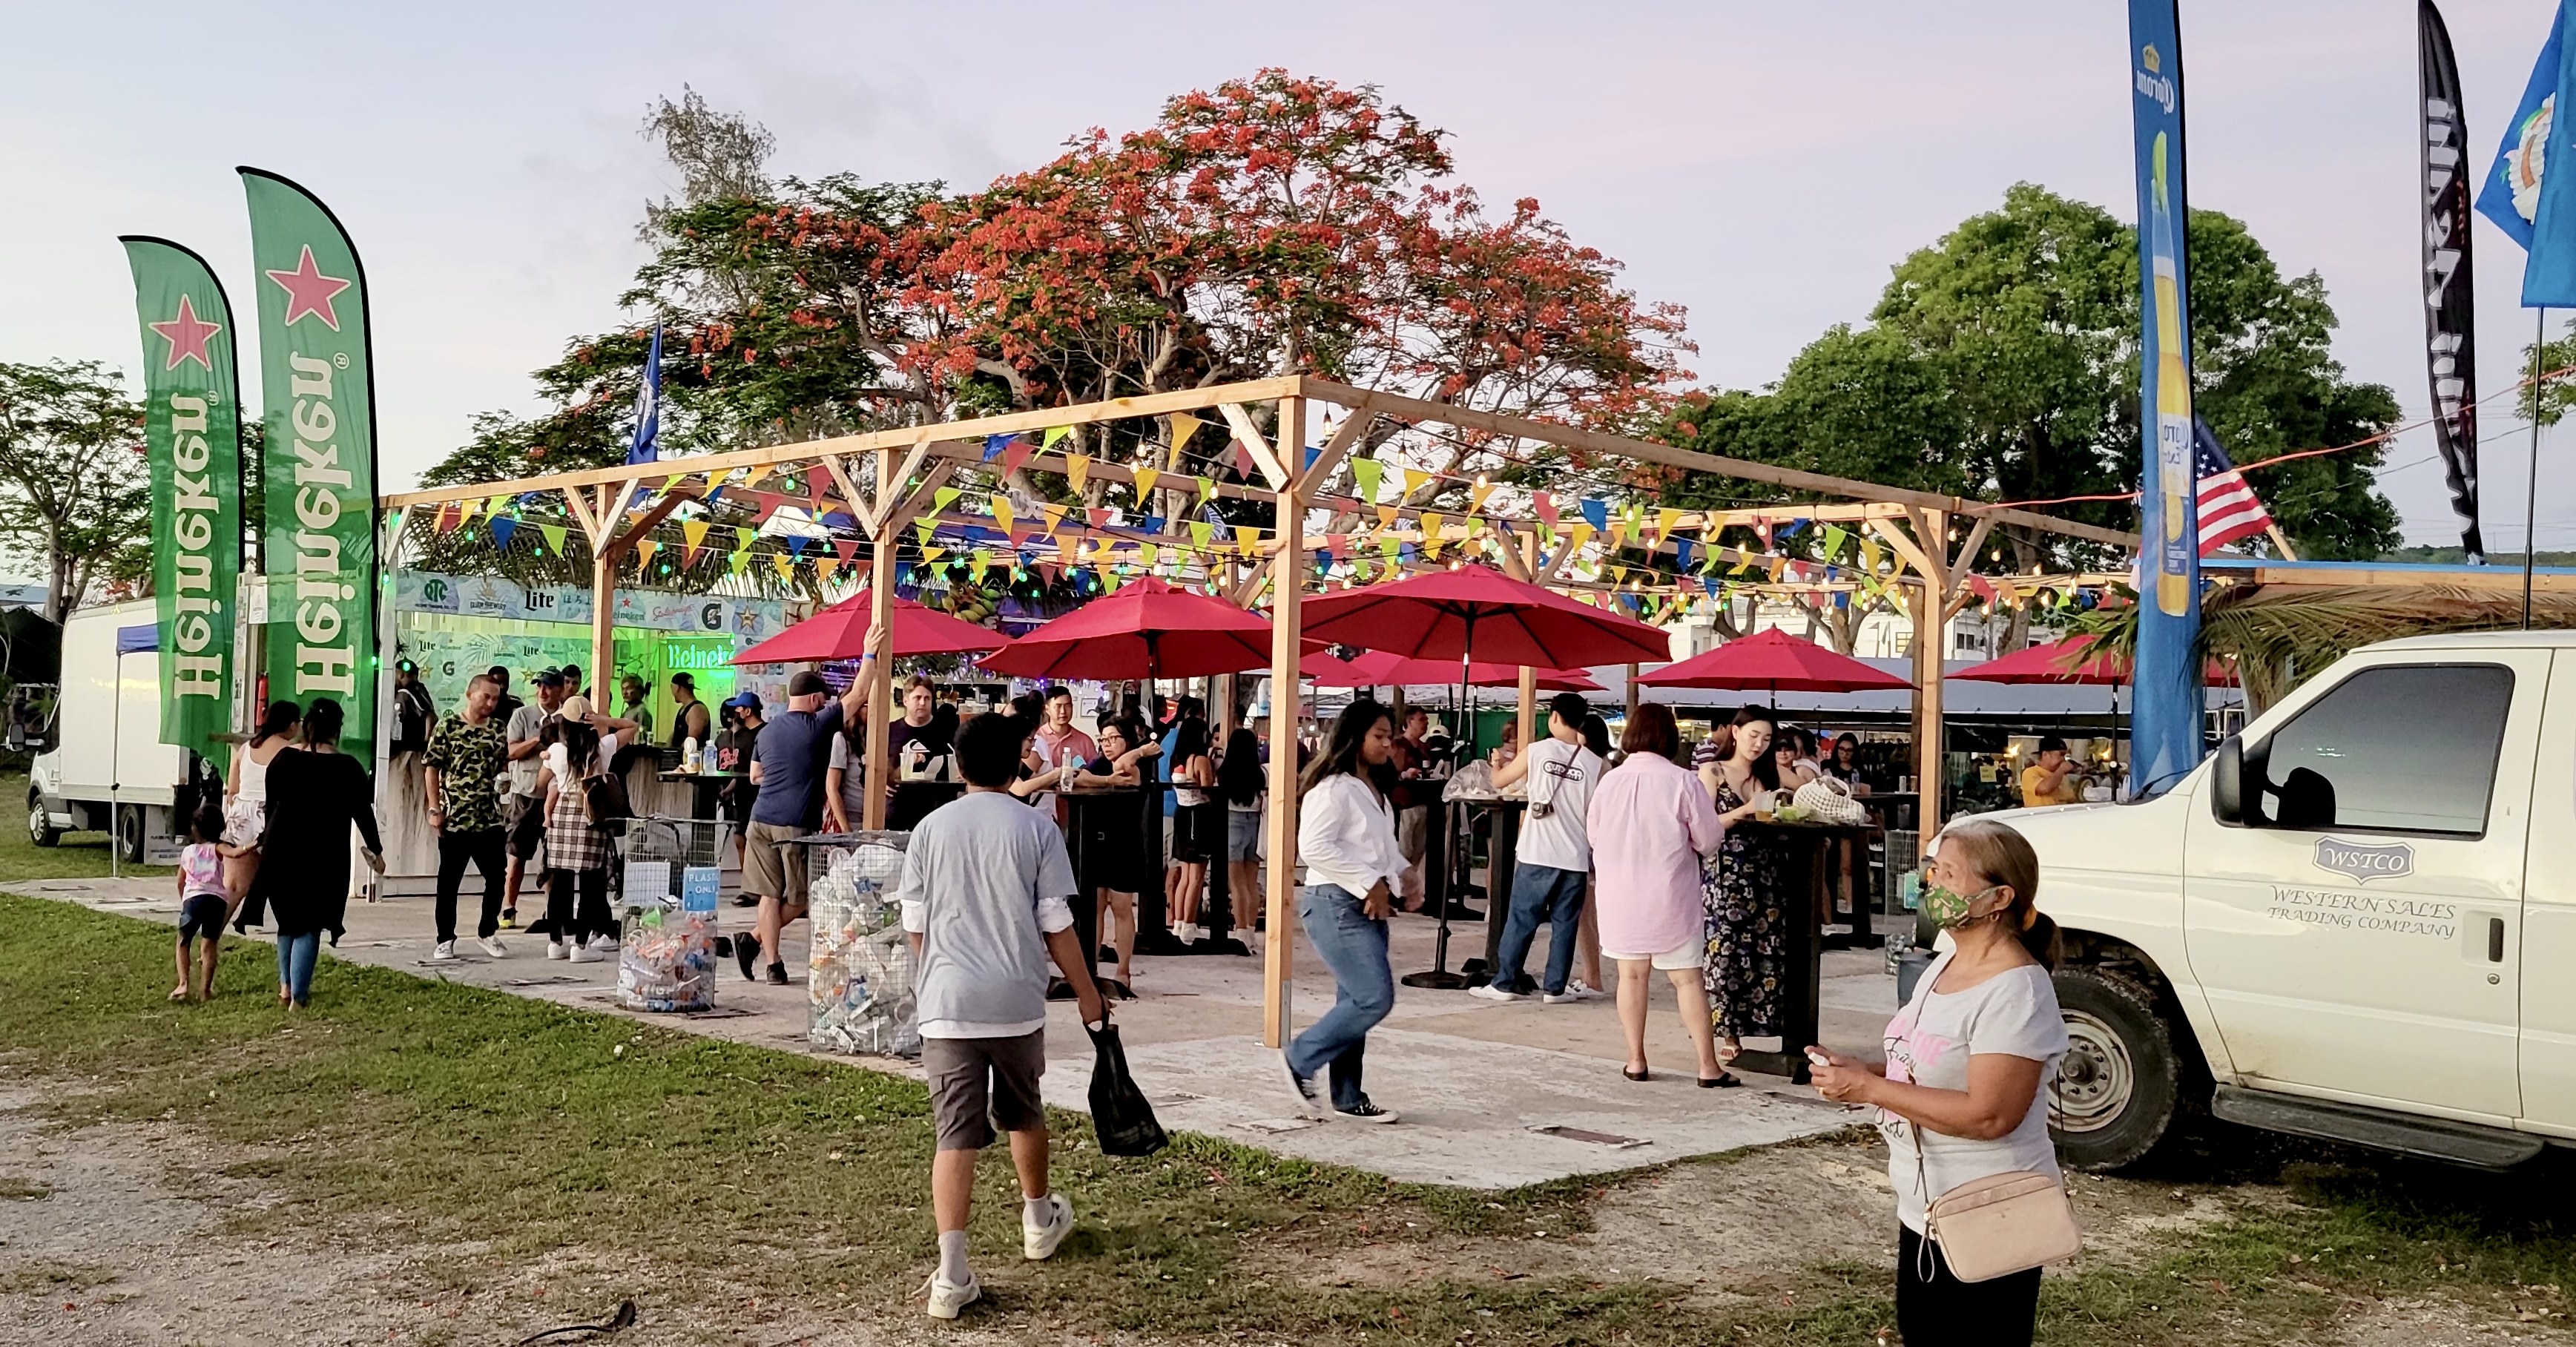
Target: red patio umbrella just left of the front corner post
[{"x": 1148, "y": 630}]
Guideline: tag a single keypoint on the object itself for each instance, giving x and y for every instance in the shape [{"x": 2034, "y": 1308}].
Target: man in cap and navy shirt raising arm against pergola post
[{"x": 790, "y": 774}]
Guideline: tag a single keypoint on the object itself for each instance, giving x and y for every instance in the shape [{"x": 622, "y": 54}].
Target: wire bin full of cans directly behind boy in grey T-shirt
[{"x": 859, "y": 965}]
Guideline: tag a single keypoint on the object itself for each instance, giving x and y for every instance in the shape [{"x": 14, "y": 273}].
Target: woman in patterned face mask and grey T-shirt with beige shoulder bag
[{"x": 1969, "y": 1057}]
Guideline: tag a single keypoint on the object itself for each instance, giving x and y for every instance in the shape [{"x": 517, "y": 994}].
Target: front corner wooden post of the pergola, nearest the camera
[{"x": 1287, "y": 586}]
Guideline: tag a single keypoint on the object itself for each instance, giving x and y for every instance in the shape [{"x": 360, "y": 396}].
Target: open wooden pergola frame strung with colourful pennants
[{"x": 1933, "y": 537}]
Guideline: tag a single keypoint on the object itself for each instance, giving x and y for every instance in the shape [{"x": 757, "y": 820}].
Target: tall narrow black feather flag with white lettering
[{"x": 2451, "y": 334}]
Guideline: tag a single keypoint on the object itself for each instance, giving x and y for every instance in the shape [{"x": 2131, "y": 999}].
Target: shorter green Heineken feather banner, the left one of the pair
[{"x": 194, "y": 442}]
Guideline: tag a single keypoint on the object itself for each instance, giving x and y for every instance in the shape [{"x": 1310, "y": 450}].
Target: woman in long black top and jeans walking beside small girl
[{"x": 316, "y": 795}]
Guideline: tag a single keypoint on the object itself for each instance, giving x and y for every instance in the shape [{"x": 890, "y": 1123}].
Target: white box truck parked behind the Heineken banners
[{"x": 104, "y": 766}]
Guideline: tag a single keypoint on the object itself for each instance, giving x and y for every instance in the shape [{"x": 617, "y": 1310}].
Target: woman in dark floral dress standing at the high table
[{"x": 1748, "y": 918}]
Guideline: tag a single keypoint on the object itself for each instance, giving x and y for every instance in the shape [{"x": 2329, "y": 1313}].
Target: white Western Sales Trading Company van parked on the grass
[{"x": 2343, "y": 923}]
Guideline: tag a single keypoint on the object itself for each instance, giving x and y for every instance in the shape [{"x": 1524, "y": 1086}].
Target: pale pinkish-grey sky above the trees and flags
[{"x": 1761, "y": 164}]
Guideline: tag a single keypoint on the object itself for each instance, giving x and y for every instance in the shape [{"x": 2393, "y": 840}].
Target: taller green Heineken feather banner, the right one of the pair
[{"x": 321, "y": 462}]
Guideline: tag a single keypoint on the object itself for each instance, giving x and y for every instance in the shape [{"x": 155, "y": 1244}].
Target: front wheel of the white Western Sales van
[{"x": 2121, "y": 1080}]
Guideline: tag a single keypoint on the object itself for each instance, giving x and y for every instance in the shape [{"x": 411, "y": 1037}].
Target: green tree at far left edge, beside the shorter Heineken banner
[{"x": 73, "y": 480}]
